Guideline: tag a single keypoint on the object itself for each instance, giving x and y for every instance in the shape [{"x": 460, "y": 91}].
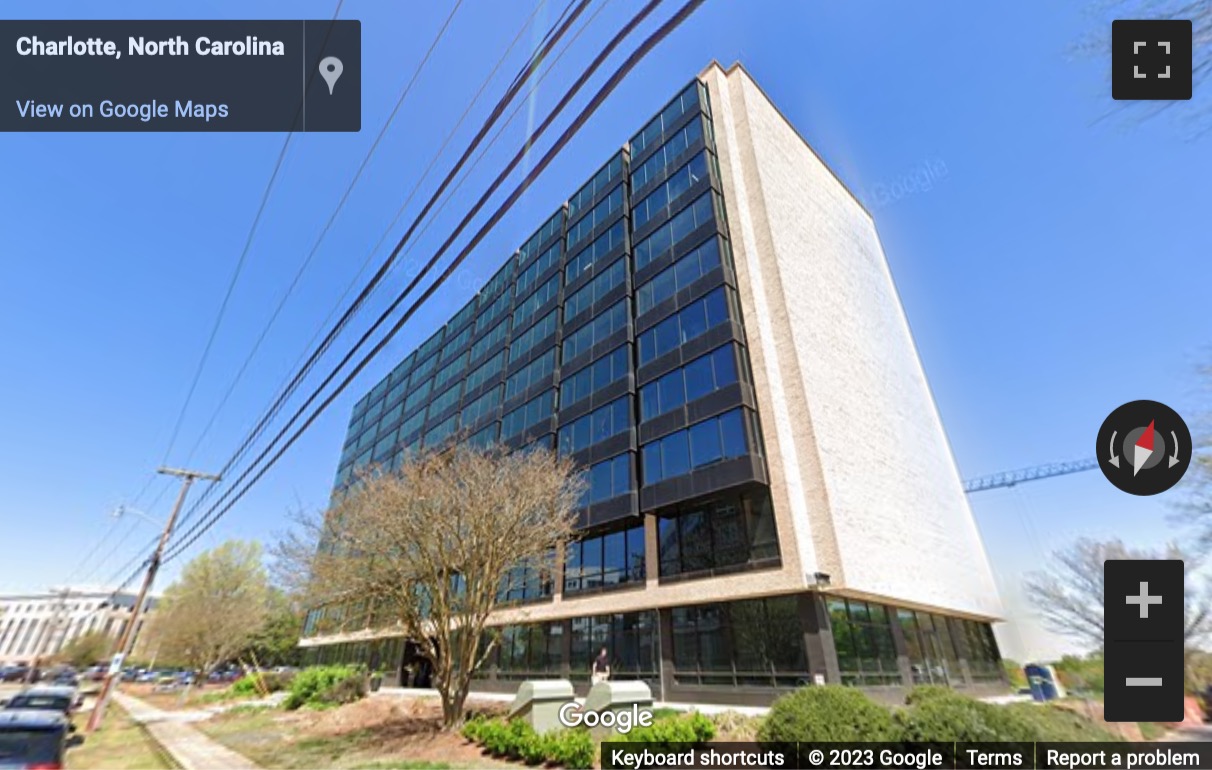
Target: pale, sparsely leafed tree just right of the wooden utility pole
[{"x": 215, "y": 609}]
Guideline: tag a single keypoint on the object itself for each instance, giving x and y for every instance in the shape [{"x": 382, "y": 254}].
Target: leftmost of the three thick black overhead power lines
[{"x": 540, "y": 54}]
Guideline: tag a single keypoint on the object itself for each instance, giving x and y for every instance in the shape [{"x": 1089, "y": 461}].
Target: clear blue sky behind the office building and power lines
[{"x": 1026, "y": 270}]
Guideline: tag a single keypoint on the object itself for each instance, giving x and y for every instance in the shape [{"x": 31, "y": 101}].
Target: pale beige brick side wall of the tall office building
[{"x": 862, "y": 471}]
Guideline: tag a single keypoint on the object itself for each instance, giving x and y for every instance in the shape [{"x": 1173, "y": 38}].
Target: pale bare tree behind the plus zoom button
[{"x": 1070, "y": 594}]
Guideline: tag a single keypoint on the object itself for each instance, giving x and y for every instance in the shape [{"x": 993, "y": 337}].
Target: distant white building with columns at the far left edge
[{"x": 44, "y": 624}]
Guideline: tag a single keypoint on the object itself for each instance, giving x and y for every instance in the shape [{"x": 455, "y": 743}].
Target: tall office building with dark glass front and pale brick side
[{"x": 710, "y": 328}]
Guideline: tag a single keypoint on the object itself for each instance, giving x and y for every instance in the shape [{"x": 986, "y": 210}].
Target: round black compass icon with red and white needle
[{"x": 1145, "y": 448}]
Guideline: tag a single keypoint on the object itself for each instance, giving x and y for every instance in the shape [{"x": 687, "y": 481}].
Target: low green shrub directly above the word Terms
[{"x": 954, "y": 717}]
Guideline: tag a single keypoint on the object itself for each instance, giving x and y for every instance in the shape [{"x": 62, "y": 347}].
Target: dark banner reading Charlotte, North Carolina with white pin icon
[{"x": 181, "y": 76}]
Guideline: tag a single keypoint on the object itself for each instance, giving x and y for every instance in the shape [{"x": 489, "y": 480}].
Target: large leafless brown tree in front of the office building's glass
[{"x": 433, "y": 547}]
